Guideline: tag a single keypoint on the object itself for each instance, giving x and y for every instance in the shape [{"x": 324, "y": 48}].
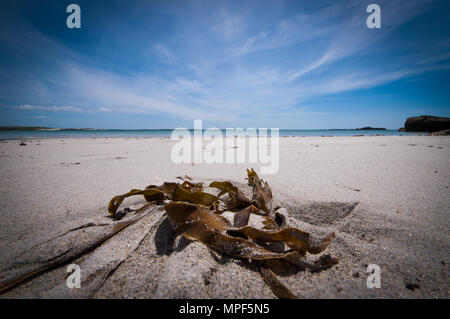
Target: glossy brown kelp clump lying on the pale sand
[{"x": 195, "y": 214}]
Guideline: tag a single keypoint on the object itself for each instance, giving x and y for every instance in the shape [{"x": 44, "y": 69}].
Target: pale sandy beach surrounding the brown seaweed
[{"x": 387, "y": 199}]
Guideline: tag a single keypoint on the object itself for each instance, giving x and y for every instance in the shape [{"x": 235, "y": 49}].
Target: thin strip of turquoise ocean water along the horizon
[{"x": 41, "y": 134}]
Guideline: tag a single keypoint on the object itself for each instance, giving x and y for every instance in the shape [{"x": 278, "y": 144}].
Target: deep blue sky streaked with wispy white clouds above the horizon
[{"x": 269, "y": 64}]
